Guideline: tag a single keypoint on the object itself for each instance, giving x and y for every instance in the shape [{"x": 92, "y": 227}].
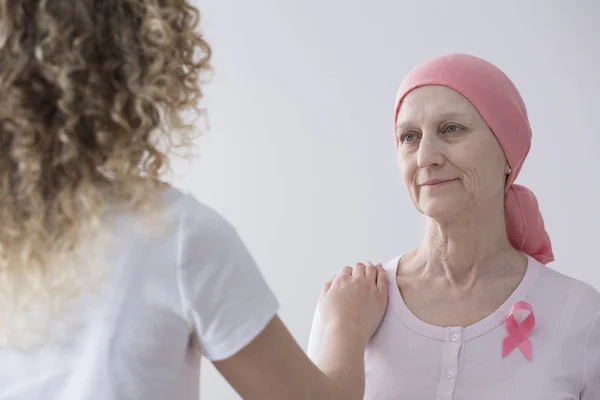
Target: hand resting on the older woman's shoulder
[{"x": 354, "y": 301}]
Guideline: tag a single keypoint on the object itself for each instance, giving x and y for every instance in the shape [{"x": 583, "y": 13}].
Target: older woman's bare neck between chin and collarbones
[{"x": 465, "y": 248}]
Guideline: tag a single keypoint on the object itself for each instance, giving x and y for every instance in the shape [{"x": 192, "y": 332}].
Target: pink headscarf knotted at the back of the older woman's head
[{"x": 498, "y": 101}]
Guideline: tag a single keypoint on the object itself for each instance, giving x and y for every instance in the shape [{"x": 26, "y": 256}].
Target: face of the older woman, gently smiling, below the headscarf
[{"x": 451, "y": 161}]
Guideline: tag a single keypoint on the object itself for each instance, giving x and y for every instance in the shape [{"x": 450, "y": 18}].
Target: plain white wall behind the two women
[{"x": 300, "y": 156}]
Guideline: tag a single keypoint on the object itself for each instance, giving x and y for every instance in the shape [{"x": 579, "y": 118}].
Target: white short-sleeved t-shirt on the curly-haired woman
[{"x": 167, "y": 300}]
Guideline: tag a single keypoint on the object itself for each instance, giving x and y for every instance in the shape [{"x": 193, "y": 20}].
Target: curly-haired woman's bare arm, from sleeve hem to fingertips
[{"x": 274, "y": 367}]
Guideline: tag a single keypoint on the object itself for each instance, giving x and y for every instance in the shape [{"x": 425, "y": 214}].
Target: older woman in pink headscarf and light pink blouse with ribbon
[{"x": 475, "y": 313}]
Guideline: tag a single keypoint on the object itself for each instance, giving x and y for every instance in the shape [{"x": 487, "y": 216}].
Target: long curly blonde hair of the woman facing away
[{"x": 91, "y": 95}]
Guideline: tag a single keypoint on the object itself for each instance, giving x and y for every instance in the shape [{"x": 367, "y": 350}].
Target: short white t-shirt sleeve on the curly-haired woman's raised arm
[{"x": 223, "y": 292}]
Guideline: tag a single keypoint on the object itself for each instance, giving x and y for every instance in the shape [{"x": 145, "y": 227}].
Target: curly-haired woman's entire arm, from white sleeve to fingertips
[{"x": 232, "y": 312}]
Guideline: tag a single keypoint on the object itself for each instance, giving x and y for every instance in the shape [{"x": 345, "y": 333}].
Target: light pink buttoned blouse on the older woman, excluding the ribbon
[{"x": 410, "y": 359}]
